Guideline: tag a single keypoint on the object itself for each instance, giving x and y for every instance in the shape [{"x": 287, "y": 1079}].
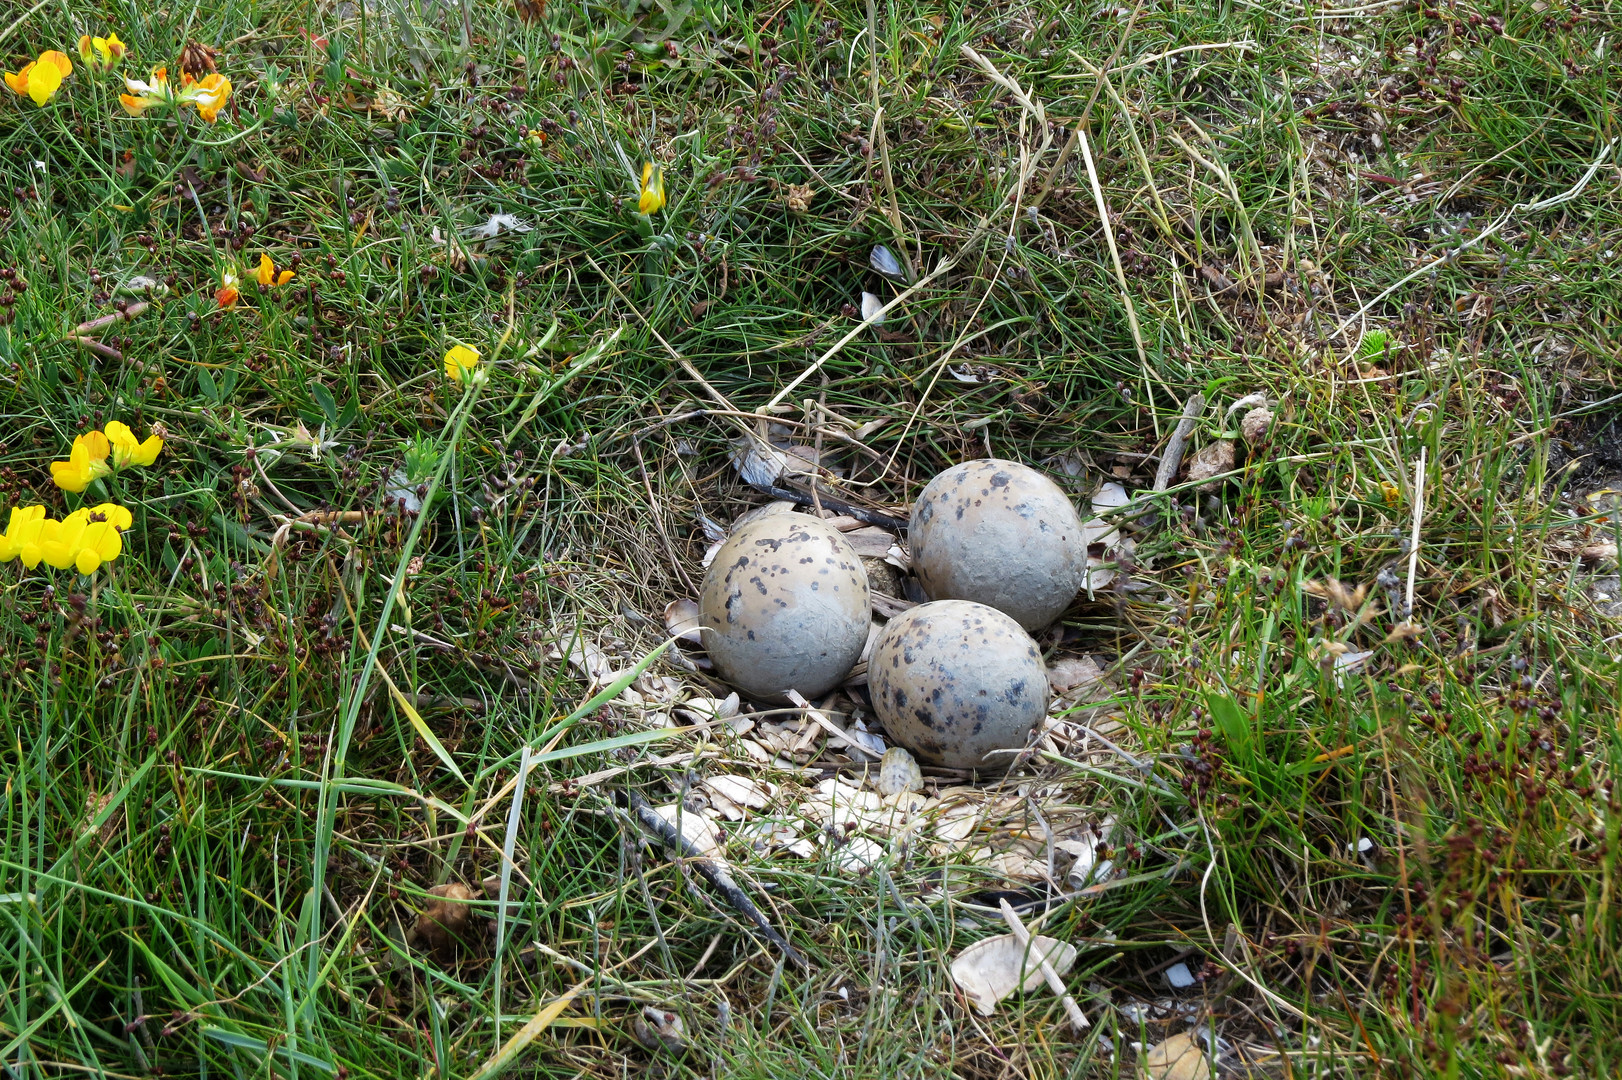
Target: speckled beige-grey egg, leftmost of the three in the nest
[{"x": 786, "y": 607}]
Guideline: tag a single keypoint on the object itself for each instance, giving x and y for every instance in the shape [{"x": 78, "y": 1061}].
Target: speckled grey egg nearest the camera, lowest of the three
[{"x": 955, "y": 682}]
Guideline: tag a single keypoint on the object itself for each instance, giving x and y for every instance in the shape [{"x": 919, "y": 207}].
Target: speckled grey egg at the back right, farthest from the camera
[{"x": 1002, "y": 534}]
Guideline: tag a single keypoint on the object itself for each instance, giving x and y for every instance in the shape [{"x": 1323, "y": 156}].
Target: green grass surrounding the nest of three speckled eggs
[{"x": 218, "y": 821}]
